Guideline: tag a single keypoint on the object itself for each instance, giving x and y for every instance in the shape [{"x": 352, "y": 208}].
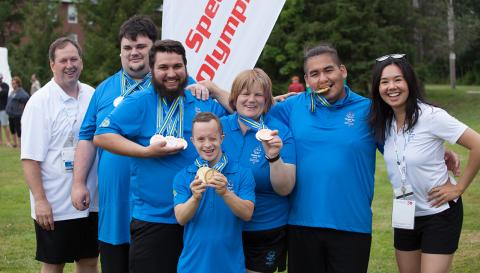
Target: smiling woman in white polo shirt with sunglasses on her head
[{"x": 427, "y": 208}]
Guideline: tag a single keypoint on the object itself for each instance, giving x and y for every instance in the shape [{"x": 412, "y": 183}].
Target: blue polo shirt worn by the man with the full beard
[{"x": 151, "y": 178}]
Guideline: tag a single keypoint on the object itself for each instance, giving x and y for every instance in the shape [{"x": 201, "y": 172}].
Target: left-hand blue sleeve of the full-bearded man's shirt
[{"x": 126, "y": 119}]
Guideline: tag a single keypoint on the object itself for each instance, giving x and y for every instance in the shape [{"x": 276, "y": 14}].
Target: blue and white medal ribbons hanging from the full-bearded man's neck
[{"x": 169, "y": 120}]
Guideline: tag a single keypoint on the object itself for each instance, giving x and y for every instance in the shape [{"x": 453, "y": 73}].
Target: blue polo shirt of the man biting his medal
[{"x": 335, "y": 162}]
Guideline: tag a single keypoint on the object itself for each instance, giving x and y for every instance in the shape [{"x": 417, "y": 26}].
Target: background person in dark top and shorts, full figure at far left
[{"x": 15, "y": 106}]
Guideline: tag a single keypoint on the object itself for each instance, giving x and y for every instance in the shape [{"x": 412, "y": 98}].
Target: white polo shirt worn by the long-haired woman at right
[{"x": 424, "y": 154}]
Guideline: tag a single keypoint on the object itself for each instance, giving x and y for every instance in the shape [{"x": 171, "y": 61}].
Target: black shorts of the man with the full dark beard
[{"x": 154, "y": 247}]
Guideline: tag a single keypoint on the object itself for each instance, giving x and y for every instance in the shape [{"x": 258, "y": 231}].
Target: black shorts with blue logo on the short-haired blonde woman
[{"x": 265, "y": 250}]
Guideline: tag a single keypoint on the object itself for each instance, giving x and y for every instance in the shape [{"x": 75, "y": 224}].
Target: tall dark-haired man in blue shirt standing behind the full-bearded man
[{"x": 136, "y": 37}]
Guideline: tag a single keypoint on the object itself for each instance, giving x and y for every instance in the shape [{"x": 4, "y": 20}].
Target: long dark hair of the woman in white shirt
[{"x": 381, "y": 114}]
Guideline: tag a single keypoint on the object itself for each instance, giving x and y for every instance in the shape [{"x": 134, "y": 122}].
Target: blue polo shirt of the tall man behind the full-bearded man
[{"x": 113, "y": 170}]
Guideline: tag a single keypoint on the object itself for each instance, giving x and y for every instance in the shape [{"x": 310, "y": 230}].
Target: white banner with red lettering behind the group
[{"x": 222, "y": 38}]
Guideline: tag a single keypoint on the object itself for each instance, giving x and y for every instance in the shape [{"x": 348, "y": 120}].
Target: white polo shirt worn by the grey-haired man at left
[{"x": 49, "y": 117}]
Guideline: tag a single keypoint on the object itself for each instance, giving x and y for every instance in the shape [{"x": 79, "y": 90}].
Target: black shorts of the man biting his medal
[{"x": 327, "y": 250}]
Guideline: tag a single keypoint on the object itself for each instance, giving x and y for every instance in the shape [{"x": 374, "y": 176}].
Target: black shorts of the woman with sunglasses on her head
[{"x": 433, "y": 234}]
